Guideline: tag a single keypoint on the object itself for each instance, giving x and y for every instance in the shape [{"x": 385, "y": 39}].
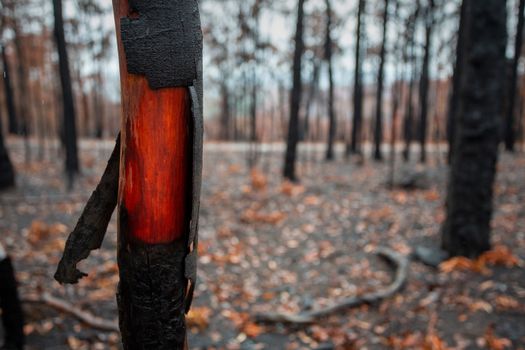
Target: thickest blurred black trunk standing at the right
[{"x": 466, "y": 230}]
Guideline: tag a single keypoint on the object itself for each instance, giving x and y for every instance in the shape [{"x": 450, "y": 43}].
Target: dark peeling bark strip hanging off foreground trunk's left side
[{"x": 93, "y": 223}]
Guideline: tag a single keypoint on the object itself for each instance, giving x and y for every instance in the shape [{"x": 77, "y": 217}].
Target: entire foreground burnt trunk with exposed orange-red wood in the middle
[{"x": 160, "y": 49}]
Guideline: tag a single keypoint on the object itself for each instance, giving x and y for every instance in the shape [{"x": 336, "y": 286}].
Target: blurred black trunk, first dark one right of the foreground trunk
[{"x": 295, "y": 98}]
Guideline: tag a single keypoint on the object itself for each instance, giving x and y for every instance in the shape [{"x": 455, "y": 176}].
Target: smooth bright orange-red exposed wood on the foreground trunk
[{"x": 155, "y": 181}]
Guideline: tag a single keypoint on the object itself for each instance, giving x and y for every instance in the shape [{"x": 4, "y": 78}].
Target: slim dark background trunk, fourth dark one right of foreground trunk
[{"x": 378, "y": 130}]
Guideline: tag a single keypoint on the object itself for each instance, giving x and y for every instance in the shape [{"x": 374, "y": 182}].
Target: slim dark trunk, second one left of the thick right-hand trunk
[{"x": 424, "y": 82}]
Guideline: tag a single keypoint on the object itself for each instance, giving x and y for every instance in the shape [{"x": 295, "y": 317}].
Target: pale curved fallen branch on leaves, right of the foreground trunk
[{"x": 401, "y": 263}]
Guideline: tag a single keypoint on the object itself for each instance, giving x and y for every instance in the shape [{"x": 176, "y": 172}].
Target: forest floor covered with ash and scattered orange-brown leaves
[{"x": 266, "y": 245}]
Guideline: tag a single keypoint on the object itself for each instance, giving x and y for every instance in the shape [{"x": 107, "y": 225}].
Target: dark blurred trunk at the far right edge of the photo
[{"x": 510, "y": 119}]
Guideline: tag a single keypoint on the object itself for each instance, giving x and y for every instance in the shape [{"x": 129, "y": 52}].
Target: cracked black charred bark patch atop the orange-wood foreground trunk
[{"x": 161, "y": 42}]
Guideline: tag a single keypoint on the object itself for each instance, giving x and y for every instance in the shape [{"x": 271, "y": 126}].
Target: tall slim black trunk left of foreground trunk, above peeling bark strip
[{"x": 70, "y": 130}]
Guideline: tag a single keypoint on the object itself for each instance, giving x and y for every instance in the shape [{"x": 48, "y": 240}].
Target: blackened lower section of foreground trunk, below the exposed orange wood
[{"x": 151, "y": 295}]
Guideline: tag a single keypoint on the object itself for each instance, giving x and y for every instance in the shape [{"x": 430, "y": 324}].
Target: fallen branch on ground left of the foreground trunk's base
[{"x": 65, "y": 307}]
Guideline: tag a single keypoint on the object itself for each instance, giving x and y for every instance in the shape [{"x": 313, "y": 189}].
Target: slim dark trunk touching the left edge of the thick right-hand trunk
[{"x": 456, "y": 80}]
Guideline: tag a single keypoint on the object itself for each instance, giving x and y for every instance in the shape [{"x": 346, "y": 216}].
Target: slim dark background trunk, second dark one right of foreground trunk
[{"x": 328, "y": 57}]
